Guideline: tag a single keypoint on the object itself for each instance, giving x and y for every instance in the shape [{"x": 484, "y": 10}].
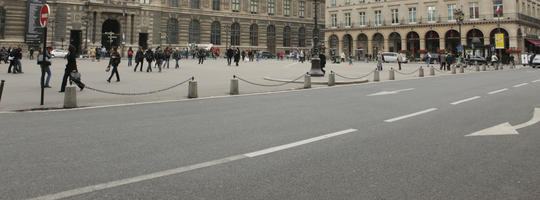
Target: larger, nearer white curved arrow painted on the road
[{"x": 506, "y": 128}]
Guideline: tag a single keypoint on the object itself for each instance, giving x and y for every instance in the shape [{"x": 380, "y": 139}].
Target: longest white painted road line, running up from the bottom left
[{"x": 117, "y": 183}]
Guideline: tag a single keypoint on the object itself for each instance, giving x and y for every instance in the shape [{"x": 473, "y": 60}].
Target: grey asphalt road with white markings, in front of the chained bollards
[{"x": 211, "y": 148}]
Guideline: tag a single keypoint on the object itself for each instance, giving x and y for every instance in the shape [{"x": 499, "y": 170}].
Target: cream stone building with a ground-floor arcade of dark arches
[{"x": 363, "y": 27}]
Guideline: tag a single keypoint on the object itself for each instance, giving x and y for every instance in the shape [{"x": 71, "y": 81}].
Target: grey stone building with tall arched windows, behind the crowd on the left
[{"x": 273, "y": 25}]
